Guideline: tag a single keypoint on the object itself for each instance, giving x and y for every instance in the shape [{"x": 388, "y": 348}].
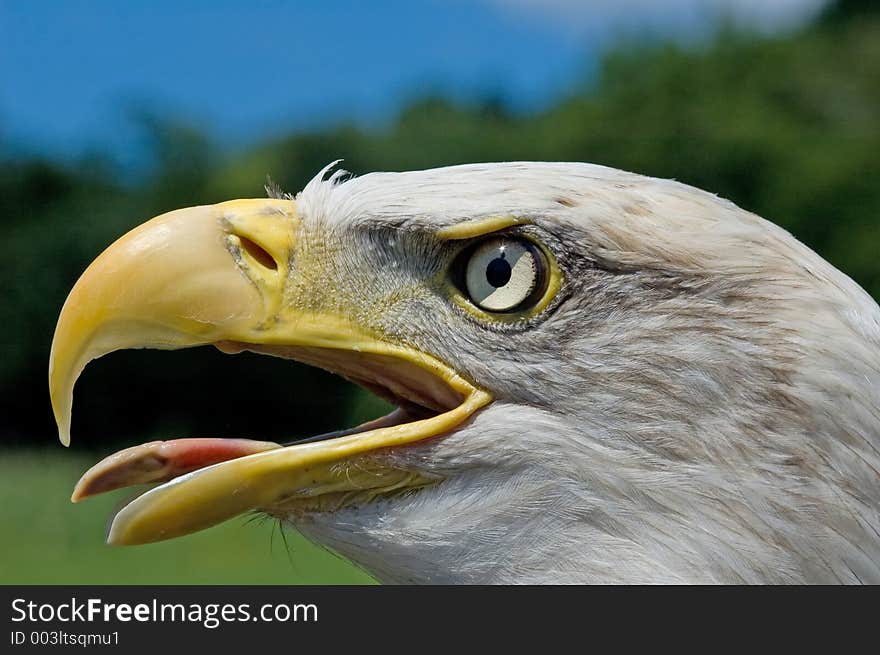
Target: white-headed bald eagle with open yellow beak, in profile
[{"x": 598, "y": 377}]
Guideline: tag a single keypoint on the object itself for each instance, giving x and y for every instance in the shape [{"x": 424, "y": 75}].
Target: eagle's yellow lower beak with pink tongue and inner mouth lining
[{"x": 203, "y": 481}]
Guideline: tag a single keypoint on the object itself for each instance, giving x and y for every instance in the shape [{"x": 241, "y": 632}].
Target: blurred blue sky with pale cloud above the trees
[{"x": 72, "y": 72}]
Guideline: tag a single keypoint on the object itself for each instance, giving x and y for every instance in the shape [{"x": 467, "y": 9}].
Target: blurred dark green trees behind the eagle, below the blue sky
[{"x": 787, "y": 127}]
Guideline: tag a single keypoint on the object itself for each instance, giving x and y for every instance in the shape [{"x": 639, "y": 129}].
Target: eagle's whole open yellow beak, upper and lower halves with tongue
[{"x": 222, "y": 275}]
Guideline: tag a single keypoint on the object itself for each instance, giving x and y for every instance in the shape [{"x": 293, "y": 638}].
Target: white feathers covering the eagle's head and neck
[{"x": 701, "y": 405}]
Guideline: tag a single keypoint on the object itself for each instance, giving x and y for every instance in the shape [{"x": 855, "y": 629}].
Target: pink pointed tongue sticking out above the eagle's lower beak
[{"x": 160, "y": 461}]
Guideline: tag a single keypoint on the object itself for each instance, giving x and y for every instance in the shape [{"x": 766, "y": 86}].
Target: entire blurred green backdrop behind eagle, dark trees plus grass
[{"x": 785, "y": 124}]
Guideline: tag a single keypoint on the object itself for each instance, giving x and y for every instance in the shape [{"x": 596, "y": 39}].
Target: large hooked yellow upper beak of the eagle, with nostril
[{"x": 190, "y": 277}]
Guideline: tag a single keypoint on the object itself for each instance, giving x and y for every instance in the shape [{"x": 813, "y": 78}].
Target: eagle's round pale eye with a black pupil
[{"x": 504, "y": 274}]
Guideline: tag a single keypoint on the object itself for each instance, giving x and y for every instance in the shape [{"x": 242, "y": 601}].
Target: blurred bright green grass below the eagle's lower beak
[{"x": 47, "y": 540}]
